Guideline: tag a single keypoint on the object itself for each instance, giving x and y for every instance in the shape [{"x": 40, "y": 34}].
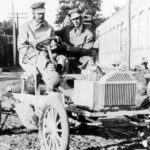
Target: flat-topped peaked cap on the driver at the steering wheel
[{"x": 38, "y": 7}]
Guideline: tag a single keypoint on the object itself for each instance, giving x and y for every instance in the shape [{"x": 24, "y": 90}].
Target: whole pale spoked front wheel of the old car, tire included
[{"x": 53, "y": 127}]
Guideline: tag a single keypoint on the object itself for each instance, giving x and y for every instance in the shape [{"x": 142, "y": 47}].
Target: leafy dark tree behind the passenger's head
[{"x": 88, "y": 7}]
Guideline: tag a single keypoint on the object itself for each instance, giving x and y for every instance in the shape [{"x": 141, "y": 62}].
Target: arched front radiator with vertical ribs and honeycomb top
[{"x": 117, "y": 88}]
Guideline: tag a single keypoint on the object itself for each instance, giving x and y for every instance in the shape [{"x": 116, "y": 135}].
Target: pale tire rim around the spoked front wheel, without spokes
[{"x": 59, "y": 108}]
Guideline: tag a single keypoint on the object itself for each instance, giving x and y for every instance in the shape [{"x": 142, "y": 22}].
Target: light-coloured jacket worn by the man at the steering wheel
[{"x": 27, "y": 38}]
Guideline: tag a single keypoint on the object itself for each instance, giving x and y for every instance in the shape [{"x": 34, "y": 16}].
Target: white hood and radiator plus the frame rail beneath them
[{"x": 115, "y": 94}]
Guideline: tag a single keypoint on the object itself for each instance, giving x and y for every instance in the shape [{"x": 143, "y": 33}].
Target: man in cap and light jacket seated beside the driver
[{"x": 78, "y": 41}]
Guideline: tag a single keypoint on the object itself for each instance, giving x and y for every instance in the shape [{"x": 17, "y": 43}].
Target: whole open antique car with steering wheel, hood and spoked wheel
[{"x": 79, "y": 99}]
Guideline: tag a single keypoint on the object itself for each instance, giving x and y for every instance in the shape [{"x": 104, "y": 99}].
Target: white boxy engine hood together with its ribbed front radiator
[{"x": 114, "y": 89}]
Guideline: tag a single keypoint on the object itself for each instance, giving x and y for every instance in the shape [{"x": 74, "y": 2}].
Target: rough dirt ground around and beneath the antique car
[{"x": 14, "y": 136}]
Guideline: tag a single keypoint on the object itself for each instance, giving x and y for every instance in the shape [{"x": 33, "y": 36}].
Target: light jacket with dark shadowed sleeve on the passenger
[{"x": 81, "y": 38}]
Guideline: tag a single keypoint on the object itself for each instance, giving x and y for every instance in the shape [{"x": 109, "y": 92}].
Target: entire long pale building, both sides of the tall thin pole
[{"x": 114, "y": 35}]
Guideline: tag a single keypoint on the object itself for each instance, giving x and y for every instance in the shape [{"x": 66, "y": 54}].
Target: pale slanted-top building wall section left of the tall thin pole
[{"x": 112, "y": 38}]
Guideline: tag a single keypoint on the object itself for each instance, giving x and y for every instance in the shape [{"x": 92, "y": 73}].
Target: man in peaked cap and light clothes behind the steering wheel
[{"x": 32, "y": 60}]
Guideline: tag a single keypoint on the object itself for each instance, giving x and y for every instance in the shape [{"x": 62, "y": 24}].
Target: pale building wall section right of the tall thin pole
[{"x": 140, "y": 31}]
